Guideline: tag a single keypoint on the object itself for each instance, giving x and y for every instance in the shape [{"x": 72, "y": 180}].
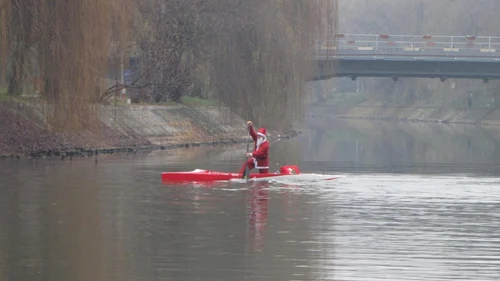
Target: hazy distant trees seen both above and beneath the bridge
[{"x": 444, "y": 17}]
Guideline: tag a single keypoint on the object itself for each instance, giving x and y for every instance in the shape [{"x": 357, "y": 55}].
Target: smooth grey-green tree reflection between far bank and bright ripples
[{"x": 394, "y": 144}]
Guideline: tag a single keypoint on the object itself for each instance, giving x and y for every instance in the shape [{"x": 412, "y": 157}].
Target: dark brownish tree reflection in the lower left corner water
[{"x": 51, "y": 225}]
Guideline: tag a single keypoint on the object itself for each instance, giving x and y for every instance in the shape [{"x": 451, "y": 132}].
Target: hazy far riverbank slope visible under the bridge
[{"x": 363, "y": 106}]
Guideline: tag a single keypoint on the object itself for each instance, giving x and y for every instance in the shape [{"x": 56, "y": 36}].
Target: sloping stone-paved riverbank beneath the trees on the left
[{"x": 131, "y": 128}]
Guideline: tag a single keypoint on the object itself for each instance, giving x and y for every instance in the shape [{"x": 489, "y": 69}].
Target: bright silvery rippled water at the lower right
[{"x": 408, "y": 228}]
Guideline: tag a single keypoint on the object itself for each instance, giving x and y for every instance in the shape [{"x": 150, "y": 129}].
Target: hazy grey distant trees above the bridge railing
[{"x": 446, "y": 17}]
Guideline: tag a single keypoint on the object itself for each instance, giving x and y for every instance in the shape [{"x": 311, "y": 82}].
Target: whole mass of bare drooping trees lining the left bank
[{"x": 252, "y": 55}]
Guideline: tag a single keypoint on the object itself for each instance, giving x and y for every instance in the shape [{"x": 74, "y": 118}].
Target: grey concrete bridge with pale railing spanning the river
[{"x": 394, "y": 56}]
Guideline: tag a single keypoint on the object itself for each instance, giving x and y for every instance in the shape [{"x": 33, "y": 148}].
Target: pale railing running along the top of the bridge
[{"x": 376, "y": 43}]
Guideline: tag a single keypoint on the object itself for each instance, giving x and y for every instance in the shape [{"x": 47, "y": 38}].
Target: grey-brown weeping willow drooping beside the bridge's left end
[{"x": 261, "y": 68}]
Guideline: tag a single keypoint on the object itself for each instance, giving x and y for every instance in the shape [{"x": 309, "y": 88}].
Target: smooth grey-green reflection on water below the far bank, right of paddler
[{"x": 400, "y": 147}]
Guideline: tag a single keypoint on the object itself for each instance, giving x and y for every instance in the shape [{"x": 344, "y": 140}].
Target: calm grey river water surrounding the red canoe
[{"x": 419, "y": 202}]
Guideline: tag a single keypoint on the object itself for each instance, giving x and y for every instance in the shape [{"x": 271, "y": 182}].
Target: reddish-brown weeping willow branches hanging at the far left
[{"x": 66, "y": 44}]
